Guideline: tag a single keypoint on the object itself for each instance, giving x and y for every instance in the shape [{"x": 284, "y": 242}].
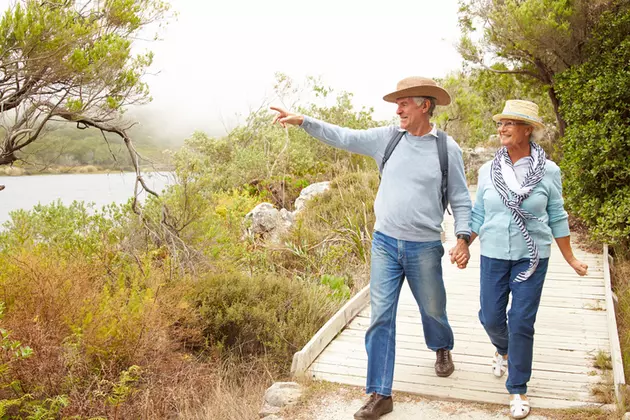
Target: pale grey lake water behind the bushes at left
[{"x": 23, "y": 192}]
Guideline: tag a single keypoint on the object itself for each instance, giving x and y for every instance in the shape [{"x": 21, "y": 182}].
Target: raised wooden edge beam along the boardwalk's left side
[{"x": 303, "y": 358}]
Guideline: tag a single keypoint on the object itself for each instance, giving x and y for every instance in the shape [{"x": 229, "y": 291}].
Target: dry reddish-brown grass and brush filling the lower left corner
[{"x": 87, "y": 327}]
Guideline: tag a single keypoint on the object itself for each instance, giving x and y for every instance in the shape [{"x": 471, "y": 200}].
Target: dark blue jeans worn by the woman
[{"x": 517, "y": 329}]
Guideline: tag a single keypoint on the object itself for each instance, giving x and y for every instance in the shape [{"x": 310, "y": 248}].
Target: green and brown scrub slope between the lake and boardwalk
[{"x": 112, "y": 315}]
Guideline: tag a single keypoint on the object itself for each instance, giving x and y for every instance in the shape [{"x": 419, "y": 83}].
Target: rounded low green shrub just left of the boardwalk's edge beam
[{"x": 270, "y": 316}]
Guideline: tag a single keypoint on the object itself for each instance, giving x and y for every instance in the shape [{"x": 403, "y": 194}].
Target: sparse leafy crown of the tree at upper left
[{"x": 71, "y": 61}]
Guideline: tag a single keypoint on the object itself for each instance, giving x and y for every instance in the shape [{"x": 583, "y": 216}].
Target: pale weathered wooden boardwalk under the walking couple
[{"x": 571, "y": 328}]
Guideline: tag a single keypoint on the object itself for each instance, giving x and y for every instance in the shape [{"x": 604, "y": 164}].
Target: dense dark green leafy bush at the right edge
[{"x": 596, "y": 162}]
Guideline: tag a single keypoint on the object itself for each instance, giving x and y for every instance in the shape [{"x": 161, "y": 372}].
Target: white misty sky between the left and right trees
[{"x": 217, "y": 59}]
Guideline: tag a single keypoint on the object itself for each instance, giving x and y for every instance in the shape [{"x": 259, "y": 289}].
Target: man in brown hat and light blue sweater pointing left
[{"x": 409, "y": 213}]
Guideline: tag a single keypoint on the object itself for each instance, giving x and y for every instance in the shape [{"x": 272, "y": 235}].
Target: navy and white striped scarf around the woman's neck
[{"x": 513, "y": 194}]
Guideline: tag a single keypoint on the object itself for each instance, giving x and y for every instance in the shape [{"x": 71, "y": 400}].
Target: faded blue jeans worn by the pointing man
[{"x": 392, "y": 261}]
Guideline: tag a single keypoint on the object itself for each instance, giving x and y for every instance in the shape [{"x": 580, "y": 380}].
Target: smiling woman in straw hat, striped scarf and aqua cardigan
[{"x": 518, "y": 210}]
